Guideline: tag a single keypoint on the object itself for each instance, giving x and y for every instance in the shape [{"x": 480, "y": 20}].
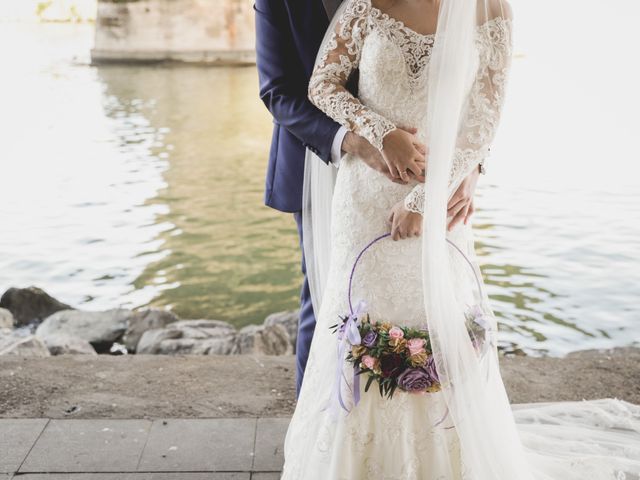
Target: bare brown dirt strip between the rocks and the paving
[{"x": 155, "y": 386}]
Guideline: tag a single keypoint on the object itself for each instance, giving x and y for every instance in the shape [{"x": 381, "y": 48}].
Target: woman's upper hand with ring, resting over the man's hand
[{"x": 403, "y": 154}]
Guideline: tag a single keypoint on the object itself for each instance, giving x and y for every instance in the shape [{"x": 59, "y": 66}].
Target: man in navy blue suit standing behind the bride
[{"x": 288, "y": 37}]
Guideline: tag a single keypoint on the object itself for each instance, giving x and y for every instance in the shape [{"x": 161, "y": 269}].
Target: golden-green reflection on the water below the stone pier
[{"x": 232, "y": 258}]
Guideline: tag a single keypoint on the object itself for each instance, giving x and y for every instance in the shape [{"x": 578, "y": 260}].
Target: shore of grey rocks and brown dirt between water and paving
[{"x": 193, "y": 368}]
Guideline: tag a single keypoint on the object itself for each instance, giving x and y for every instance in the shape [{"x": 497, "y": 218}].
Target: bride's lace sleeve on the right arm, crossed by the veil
[{"x": 483, "y": 108}]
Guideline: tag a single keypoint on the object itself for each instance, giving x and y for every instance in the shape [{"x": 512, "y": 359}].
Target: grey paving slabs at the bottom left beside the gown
[{"x": 112, "y": 449}]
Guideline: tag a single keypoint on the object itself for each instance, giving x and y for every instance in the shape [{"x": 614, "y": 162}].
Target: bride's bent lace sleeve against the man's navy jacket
[{"x": 337, "y": 61}]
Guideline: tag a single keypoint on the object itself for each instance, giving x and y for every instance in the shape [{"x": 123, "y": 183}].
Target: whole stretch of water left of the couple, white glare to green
[{"x": 139, "y": 185}]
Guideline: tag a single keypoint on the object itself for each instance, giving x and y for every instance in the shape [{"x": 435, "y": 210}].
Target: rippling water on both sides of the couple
[{"x": 142, "y": 185}]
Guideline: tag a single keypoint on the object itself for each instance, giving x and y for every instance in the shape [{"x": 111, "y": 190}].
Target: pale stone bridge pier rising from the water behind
[{"x": 196, "y": 31}]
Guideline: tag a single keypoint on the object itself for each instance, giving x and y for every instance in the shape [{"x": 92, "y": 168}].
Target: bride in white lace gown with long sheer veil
[{"x": 446, "y": 83}]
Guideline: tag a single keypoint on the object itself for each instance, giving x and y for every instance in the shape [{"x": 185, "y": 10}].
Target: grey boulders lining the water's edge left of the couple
[{"x": 34, "y": 324}]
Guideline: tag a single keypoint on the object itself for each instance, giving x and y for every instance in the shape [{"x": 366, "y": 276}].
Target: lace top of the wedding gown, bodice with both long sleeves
[{"x": 393, "y": 63}]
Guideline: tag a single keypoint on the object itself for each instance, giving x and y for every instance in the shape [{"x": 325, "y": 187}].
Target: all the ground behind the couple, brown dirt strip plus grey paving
[{"x": 203, "y": 400}]
